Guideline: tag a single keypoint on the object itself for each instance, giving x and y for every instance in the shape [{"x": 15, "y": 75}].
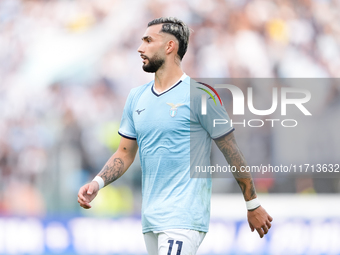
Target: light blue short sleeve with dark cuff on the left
[{"x": 127, "y": 126}]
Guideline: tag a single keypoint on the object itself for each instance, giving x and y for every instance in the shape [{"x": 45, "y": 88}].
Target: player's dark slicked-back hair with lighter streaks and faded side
[{"x": 176, "y": 28}]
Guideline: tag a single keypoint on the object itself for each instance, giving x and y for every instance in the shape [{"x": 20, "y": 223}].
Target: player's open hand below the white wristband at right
[{"x": 260, "y": 220}]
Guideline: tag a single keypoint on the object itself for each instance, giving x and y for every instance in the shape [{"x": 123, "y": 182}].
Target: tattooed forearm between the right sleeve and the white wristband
[{"x": 234, "y": 156}]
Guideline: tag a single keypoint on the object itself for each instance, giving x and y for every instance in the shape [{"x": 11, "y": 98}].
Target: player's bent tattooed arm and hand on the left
[{"x": 114, "y": 168}]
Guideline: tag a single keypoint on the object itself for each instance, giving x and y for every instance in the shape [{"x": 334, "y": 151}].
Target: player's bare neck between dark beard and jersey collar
[{"x": 165, "y": 77}]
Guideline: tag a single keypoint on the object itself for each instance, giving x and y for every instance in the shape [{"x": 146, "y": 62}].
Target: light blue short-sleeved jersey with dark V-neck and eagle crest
[{"x": 162, "y": 123}]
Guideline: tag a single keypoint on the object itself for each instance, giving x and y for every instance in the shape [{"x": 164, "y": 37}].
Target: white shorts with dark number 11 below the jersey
[{"x": 173, "y": 242}]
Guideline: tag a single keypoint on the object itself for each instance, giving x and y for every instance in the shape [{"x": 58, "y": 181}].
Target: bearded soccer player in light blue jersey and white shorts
[{"x": 163, "y": 120}]
